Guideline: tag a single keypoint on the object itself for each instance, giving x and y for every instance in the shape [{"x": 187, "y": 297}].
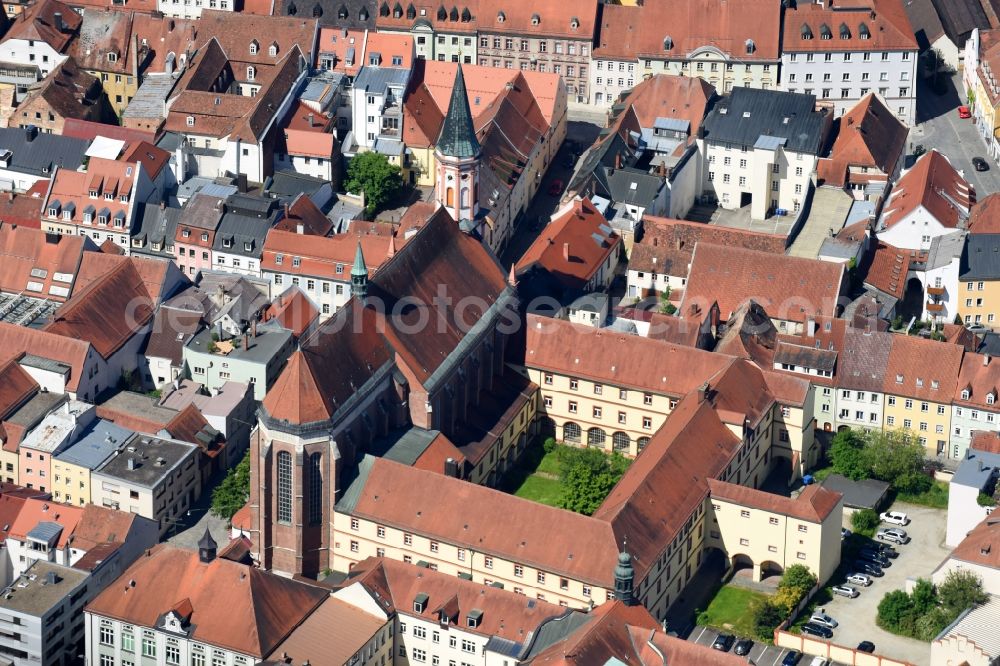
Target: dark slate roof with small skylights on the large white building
[{"x": 748, "y": 114}]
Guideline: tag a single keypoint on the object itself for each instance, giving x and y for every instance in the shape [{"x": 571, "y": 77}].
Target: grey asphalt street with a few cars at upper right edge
[{"x": 940, "y": 128}]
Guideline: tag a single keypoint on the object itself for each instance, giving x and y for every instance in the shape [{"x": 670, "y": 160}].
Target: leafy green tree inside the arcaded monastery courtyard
[{"x": 587, "y": 476}]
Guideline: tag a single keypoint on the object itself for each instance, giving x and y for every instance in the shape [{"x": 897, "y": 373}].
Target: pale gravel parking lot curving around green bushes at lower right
[{"x": 917, "y": 559}]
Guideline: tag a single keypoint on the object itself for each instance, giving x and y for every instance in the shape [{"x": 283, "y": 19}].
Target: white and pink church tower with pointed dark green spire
[{"x": 457, "y": 154}]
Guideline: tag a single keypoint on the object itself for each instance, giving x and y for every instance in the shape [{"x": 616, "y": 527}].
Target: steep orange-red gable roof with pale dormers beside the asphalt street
[{"x": 935, "y": 184}]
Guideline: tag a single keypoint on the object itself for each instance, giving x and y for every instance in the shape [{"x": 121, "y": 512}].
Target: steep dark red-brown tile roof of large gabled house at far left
[{"x": 107, "y": 312}]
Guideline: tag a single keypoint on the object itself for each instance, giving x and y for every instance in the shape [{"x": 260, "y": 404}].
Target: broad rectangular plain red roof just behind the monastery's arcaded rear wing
[{"x": 789, "y": 288}]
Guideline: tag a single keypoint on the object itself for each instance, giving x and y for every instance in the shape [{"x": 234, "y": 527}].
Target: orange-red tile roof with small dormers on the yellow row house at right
[{"x": 923, "y": 369}]
